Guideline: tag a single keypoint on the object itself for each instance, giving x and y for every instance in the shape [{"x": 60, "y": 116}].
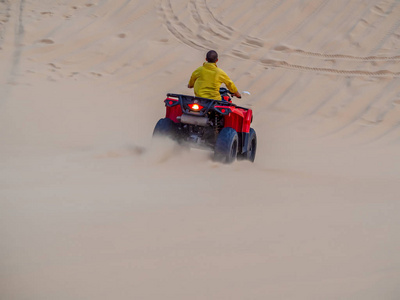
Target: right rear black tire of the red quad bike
[{"x": 226, "y": 146}]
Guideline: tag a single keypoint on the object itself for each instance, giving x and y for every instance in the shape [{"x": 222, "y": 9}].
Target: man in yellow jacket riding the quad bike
[{"x": 208, "y": 78}]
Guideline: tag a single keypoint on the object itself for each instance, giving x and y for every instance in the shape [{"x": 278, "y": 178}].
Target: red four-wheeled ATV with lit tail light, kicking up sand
[{"x": 219, "y": 125}]
